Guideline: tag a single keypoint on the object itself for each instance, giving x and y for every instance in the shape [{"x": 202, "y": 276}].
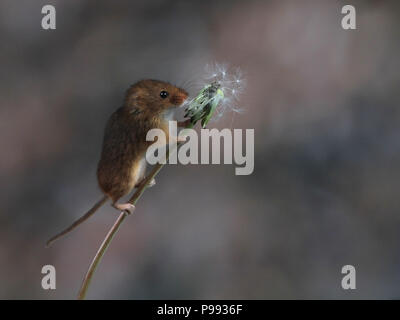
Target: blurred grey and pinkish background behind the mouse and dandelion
[{"x": 324, "y": 103}]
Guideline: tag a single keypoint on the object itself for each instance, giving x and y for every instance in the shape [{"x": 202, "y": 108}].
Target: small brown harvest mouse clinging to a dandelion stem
[{"x": 148, "y": 105}]
